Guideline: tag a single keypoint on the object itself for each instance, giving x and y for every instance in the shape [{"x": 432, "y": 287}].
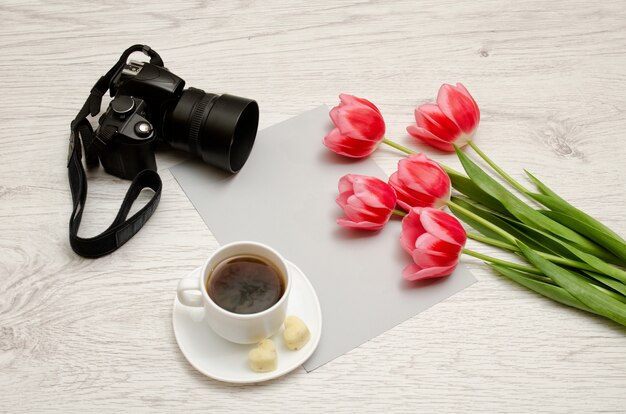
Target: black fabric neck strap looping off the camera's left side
[{"x": 122, "y": 229}]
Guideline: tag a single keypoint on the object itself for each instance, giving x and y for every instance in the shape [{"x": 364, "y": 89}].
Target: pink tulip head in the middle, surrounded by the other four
[{"x": 420, "y": 182}]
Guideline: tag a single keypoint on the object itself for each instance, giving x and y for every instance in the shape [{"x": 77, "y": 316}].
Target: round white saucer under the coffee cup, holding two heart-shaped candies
[{"x": 225, "y": 361}]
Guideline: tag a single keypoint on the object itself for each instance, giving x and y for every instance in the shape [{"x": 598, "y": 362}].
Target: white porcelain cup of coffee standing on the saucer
[{"x": 243, "y": 328}]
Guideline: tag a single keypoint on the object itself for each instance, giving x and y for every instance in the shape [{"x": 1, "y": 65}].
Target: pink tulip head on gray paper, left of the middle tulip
[{"x": 366, "y": 201}]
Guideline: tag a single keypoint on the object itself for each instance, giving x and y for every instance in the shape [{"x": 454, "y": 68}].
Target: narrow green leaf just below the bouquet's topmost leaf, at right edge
[{"x": 597, "y": 234}]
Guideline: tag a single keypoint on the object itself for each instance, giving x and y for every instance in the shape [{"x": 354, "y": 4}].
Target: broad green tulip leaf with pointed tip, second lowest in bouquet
[{"x": 579, "y": 287}]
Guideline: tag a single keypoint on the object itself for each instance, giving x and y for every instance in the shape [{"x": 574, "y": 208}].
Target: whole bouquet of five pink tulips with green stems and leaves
[{"x": 570, "y": 257}]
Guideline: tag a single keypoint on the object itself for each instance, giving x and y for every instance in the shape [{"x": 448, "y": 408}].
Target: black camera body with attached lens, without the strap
[{"x": 151, "y": 108}]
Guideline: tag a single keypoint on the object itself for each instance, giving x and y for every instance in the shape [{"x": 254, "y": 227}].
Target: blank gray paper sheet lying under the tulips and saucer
[{"x": 285, "y": 197}]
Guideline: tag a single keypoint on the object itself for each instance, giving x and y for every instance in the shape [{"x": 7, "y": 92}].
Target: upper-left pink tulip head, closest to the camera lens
[{"x": 359, "y": 127}]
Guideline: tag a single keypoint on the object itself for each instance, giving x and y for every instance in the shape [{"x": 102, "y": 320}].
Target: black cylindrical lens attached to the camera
[{"x": 220, "y": 129}]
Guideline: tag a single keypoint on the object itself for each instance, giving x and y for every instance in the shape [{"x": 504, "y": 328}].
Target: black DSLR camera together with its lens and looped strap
[{"x": 150, "y": 108}]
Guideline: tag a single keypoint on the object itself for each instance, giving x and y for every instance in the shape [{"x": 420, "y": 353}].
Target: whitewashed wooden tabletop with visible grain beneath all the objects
[{"x": 81, "y": 335}]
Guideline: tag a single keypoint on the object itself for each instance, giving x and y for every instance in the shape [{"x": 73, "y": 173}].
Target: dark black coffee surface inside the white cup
[{"x": 245, "y": 284}]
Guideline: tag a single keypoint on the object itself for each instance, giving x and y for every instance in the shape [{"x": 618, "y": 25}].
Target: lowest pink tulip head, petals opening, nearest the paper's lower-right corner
[{"x": 434, "y": 239}]
